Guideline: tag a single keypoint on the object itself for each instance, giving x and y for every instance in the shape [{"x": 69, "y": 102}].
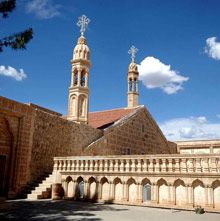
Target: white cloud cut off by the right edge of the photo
[{"x": 213, "y": 48}]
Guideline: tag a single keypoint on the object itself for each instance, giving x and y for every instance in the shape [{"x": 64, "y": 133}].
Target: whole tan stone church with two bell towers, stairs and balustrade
[{"x": 119, "y": 156}]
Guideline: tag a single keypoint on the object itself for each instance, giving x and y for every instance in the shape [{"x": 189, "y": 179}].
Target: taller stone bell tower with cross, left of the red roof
[{"x": 78, "y": 101}]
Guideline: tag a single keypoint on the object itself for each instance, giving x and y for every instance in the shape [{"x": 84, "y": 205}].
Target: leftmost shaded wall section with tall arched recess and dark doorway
[{"x": 16, "y": 122}]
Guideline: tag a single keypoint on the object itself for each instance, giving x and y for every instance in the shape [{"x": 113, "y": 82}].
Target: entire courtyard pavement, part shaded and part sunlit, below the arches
[{"x": 82, "y": 211}]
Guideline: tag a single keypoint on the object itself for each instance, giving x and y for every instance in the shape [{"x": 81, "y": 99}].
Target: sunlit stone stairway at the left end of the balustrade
[{"x": 43, "y": 190}]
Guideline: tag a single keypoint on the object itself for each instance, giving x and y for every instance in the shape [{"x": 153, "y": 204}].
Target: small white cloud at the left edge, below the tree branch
[{"x": 12, "y": 72}]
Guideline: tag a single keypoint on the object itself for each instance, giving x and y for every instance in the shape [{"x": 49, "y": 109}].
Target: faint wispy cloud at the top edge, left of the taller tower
[{"x": 43, "y": 9}]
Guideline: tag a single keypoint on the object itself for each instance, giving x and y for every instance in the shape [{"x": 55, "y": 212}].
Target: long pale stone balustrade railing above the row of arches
[{"x": 140, "y": 164}]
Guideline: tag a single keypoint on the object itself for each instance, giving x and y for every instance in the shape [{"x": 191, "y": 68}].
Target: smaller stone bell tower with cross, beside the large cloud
[{"x": 133, "y": 95}]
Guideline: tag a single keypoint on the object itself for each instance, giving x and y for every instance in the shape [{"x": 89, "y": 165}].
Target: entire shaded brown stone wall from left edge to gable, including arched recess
[{"x": 30, "y": 136}]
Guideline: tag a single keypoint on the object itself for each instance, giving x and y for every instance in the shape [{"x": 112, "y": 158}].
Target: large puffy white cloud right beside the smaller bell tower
[{"x": 155, "y": 74}]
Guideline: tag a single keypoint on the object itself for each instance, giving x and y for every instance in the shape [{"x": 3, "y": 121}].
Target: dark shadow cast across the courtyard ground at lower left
[{"x": 52, "y": 210}]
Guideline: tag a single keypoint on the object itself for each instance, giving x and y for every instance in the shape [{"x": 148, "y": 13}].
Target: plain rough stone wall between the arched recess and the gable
[{"x": 55, "y": 136}]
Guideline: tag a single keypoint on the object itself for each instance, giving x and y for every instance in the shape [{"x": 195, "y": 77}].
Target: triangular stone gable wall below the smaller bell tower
[{"x": 135, "y": 134}]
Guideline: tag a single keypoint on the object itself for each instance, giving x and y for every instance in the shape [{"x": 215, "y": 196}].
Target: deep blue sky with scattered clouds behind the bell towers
[{"x": 176, "y": 33}]
